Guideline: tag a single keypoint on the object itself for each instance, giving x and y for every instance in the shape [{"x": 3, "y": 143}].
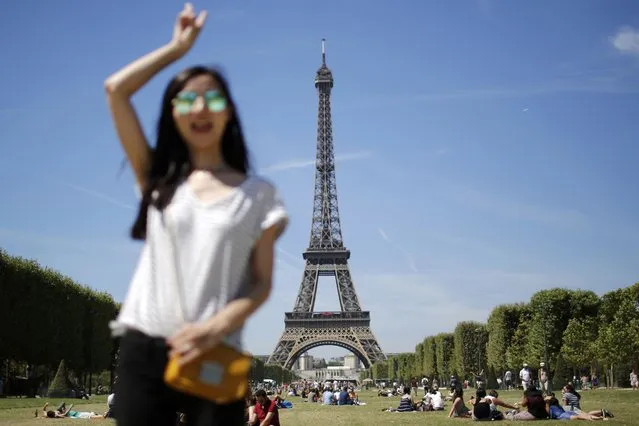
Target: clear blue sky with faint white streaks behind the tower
[{"x": 486, "y": 149}]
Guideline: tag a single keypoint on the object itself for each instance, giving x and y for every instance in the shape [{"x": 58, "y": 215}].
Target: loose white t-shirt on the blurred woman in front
[{"x": 213, "y": 242}]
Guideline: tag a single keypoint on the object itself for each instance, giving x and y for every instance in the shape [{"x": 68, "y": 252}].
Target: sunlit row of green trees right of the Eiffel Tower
[{"x": 573, "y": 331}]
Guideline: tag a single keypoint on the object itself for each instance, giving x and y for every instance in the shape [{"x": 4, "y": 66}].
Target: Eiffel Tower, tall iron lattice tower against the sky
[{"x": 326, "y": 255}]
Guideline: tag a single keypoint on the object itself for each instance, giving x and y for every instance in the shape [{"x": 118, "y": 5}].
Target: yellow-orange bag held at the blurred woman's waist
[{"x": 219, "y": 375}]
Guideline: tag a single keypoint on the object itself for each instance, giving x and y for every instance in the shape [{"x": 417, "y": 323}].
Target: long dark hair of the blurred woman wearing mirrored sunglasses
[{"x": 170, "y": 161}]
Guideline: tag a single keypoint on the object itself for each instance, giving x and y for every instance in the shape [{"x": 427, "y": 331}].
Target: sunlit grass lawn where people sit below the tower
[{"x": 623, "y": 403}]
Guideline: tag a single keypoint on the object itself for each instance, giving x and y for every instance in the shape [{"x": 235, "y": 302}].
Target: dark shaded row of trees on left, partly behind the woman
[{"x": 49, "y": 323}]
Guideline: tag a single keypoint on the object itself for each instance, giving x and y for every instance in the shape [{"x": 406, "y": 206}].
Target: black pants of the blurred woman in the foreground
[{"x": 144, "y": 399}]
